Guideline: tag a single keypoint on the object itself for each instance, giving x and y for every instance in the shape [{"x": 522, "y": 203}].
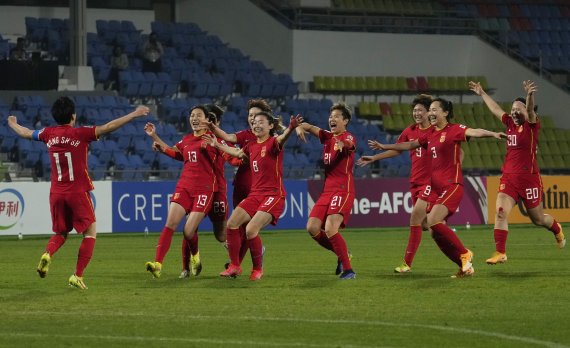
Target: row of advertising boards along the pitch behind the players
[{"x": 139, "y": 206}]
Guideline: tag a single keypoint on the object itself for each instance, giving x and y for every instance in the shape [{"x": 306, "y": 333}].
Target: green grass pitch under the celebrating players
[{"x": 298, "y": 303}]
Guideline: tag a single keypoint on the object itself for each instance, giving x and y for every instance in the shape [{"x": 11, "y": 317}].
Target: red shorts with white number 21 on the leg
[{"x": 330, "y": 203}]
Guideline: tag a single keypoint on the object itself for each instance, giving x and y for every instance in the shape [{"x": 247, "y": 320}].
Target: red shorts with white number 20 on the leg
[{"x": 526, "y": 187}]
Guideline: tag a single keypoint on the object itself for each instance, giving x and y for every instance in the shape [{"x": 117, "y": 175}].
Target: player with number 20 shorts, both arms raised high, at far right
[{"x": 521, "y": 177}]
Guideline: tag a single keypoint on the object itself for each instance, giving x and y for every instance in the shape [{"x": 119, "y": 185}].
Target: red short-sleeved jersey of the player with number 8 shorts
[{"x": 266, "y": 165}]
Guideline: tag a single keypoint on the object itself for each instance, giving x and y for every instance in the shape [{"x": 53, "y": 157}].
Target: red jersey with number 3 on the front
[{"x": 445, "y": 148}]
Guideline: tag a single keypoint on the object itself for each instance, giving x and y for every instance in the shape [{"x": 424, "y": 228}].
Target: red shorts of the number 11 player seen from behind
[{"x": 71, "y": 210}]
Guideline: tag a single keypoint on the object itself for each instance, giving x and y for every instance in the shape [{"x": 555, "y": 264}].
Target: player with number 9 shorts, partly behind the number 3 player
[{"x": 420, "y": 182}]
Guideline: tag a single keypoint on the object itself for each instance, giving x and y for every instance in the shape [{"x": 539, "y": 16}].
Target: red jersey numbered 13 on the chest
[{"x": 198, "y": 173}]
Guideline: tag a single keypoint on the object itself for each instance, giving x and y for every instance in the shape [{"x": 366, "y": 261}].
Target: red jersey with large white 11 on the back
[{"x": 67, "y": 148}]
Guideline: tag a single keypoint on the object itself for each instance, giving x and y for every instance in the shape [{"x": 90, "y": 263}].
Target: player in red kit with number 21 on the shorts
[{"x": 332, "y": 210}]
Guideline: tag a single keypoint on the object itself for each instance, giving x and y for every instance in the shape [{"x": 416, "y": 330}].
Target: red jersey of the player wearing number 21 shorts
[{"x": 339, "y": 164}]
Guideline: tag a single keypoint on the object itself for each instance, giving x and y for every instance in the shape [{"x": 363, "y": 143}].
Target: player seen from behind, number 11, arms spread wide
[{"x": 70, "y": 201}]
